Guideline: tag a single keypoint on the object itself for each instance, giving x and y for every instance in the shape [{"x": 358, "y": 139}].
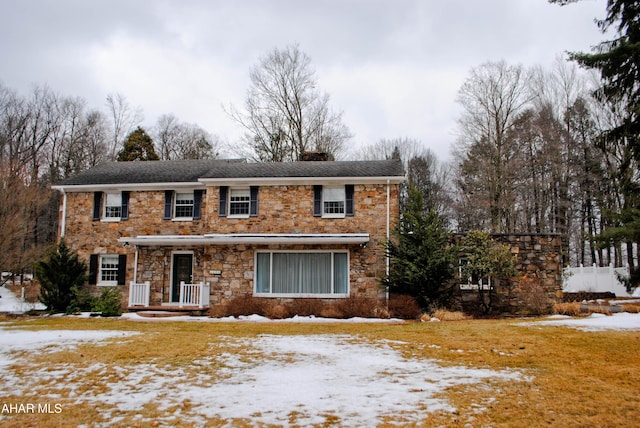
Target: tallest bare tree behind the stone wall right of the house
[{"x": 492, "y": 98}]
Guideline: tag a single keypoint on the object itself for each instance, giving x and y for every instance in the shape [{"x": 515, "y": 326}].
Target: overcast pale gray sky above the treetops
[{"x": 392, "y": 66}]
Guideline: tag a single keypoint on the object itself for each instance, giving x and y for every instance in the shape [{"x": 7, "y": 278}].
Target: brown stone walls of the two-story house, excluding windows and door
[{"x": 229, "y": 269}]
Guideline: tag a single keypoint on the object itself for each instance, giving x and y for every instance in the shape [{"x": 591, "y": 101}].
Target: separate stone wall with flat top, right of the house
[{"x": 539, "y": 260}]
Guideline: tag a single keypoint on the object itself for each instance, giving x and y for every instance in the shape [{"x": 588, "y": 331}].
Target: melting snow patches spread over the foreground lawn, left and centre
[{"x": 314, "y": 375}]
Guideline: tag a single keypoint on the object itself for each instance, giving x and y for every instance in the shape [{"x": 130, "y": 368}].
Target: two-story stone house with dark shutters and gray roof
[{"x": 199, "y": 233}]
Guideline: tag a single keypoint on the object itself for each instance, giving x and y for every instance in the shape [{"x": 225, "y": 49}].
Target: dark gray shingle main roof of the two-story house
[{"x": 182, "y": 171}]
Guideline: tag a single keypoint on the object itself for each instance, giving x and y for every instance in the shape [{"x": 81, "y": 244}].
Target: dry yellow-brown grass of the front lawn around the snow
[{"x": 581, "y": 379}]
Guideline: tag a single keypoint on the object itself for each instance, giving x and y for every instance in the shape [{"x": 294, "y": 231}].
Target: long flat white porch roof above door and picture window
[{"x": 246, "y": 238}]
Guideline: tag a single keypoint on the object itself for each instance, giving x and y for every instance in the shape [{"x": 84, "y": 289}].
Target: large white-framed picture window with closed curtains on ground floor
[{"x": 302, "y": 274}]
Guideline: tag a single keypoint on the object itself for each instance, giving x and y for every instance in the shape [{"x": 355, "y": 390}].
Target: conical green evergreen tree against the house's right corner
[{"x": 422, "y": 257}]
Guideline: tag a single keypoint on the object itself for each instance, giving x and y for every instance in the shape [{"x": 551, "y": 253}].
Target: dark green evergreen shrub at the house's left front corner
[{"x": 61, "y": 275}]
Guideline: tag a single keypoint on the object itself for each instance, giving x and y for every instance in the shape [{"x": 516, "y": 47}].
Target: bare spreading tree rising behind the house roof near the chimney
[{"x": 285, "y": 114}]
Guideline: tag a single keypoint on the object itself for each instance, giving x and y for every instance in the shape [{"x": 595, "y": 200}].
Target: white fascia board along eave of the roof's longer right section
[{"x": 281, "y": 181}]
